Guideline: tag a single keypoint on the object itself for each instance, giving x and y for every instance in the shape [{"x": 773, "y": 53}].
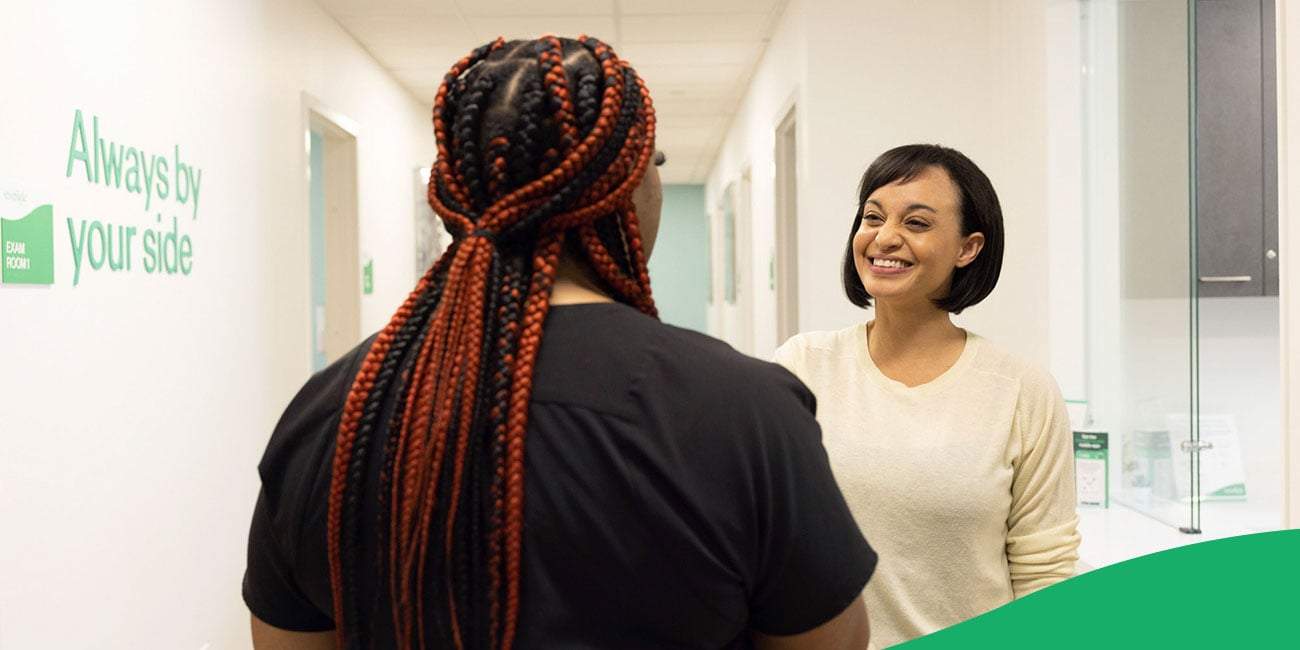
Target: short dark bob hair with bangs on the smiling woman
[{"x": 980, "y": 214}]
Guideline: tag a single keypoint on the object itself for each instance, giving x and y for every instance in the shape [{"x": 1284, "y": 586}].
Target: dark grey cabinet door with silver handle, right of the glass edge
[{"x": 1237, "y": 149}]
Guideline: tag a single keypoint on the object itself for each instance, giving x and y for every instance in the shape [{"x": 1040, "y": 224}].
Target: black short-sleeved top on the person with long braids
[{"x": 677, "y": 496}]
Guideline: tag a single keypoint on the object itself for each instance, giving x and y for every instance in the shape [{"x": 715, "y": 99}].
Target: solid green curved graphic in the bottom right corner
[{"x": 1234, "y": 593}]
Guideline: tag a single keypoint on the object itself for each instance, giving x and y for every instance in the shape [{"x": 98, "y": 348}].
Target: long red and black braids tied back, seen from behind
[{"x": 541, "y": 145}]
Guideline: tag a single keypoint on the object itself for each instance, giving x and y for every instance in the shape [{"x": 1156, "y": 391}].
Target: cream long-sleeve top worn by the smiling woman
[{"x": 964, "y": 486}]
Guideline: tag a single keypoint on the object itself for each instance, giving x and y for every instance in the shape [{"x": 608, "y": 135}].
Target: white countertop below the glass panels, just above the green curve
[{"x": 1120, "y": 534}]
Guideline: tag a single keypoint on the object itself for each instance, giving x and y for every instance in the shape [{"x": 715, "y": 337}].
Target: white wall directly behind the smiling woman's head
[{"x": 873, "y": 76}]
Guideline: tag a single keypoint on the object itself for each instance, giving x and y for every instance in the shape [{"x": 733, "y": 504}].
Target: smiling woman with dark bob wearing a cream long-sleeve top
[{"x": 954, "y": 456}]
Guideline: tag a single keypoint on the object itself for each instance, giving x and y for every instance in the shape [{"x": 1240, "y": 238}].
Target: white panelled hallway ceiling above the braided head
[{"x": 697, "y": 57}]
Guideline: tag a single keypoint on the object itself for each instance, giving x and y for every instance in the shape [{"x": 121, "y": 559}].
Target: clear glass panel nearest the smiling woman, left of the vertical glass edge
[{"x": 1141, "y": 233}]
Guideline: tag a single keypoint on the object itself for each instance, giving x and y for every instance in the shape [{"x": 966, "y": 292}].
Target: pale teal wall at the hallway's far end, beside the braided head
[{"x": 679, "y": 266}]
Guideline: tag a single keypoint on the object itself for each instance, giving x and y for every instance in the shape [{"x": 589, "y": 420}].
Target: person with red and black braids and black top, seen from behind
[{"x": 526, "y": 457}]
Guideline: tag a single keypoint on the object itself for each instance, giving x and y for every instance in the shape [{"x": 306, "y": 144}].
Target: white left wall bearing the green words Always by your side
[{"x": 135, "y": 408}]
